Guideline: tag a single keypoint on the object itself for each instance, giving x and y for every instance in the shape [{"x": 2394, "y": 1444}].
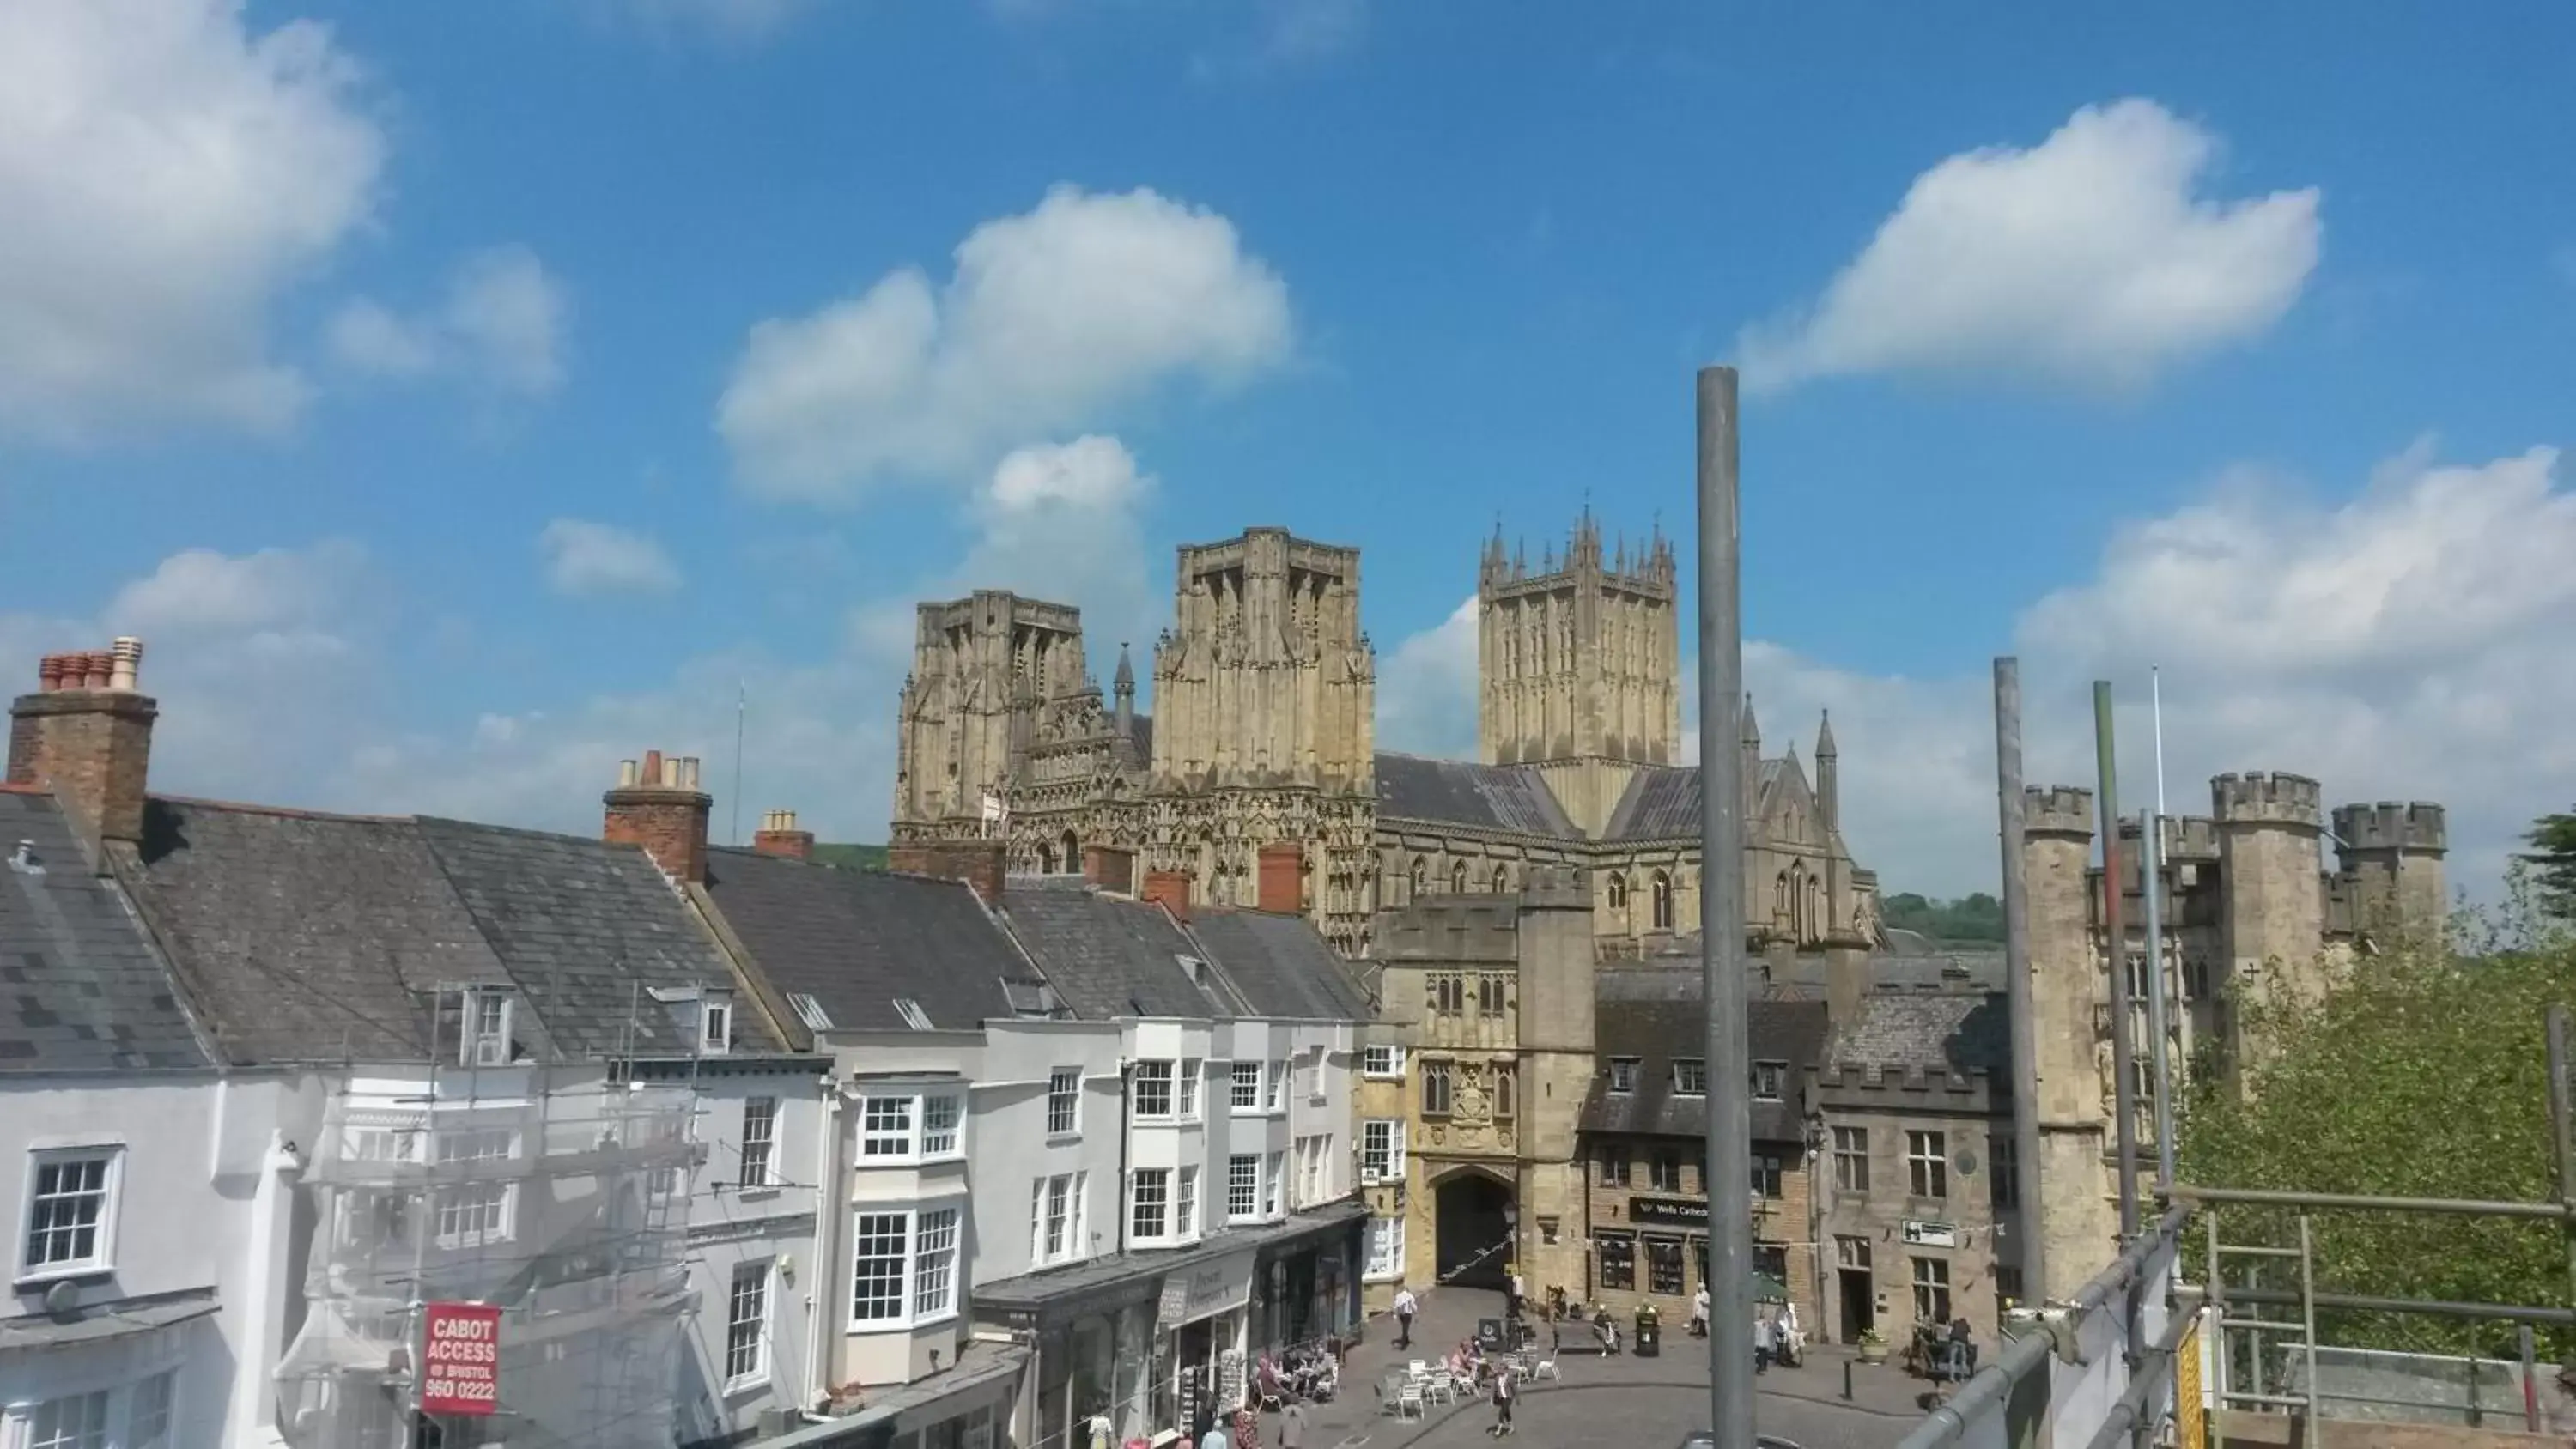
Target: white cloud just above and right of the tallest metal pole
[{"x": 2090, "y": 259}]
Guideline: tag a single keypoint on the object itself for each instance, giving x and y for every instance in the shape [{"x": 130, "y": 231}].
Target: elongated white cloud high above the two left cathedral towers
[{"x": 1052, "y": 318}]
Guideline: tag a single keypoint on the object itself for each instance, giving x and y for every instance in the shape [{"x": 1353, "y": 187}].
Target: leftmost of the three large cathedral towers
[{"x": 980, "y": 673}]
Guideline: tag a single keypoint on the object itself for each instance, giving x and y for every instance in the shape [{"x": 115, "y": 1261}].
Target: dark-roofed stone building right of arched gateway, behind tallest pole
[{"x": 1645, "y": 1147}]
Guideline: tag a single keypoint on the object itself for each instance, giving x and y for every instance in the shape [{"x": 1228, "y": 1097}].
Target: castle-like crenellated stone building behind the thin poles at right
[{"x": 2250, "y": 910}]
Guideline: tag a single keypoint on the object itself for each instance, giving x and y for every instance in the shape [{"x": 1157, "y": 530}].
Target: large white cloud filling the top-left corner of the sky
[{"x": 166, "y": 176}]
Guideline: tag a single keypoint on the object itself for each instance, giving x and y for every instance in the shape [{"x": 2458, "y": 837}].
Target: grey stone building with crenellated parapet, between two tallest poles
[{"x": 1915, "y": 1167}]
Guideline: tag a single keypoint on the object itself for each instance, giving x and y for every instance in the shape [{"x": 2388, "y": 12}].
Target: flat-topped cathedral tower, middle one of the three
[{"x": 1266, "y": 676}]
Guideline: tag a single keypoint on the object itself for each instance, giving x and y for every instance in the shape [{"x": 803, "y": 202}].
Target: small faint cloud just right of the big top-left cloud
[{"x": 501, "y": 328}]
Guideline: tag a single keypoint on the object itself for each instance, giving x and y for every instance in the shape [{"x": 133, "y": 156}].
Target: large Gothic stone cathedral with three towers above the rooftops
[{"x": 1256, "y": 781}]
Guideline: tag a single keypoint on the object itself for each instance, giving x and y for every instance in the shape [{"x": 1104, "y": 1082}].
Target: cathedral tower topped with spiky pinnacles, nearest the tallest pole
[{"x": 1580, "y": 665}]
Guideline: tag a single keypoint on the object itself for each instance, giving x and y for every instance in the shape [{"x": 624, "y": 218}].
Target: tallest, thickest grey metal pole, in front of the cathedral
[{"x": 1722, "y": 925}]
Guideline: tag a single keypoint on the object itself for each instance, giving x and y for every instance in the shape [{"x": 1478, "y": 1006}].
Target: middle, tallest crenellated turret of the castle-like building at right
[{"x": 2276, "y": 902}]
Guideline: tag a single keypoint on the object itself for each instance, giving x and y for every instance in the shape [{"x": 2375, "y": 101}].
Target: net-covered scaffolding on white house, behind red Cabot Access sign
[{"x": 555, "y": 1195}]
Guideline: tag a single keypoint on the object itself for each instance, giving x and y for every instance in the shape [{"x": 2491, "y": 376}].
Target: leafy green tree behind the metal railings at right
[{"x": 2425, "y": 1075}]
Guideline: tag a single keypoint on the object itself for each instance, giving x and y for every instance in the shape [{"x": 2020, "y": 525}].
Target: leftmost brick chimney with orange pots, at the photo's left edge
[{"x": 86, "y": 735}]
